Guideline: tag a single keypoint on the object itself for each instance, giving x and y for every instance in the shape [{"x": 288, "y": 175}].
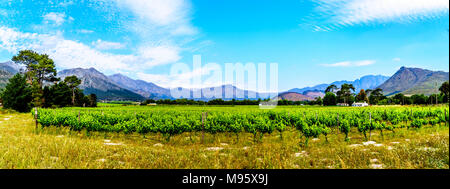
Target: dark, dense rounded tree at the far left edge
[{"x": 17, "y": 94}]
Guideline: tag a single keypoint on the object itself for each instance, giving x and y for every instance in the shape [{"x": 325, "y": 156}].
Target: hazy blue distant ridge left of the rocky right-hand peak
[{"x": 365, "y": 82}]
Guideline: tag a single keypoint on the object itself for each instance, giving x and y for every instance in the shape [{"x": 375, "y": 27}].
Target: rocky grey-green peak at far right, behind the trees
[{"x": 414, "y": 81}]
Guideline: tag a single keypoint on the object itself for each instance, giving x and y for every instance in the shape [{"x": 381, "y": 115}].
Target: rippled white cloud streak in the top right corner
[{"x": 332, "y": 14}]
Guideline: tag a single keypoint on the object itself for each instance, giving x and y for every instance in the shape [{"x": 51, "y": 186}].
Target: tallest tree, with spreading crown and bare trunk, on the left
[{"x": 39, "y": 69}]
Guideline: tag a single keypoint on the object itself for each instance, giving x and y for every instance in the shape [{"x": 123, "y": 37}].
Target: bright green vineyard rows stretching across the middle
[{"x": 310, "y": 122}]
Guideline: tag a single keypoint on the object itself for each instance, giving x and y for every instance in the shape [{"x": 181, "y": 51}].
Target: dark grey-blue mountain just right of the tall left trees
[{"x": 97, "y": 83}]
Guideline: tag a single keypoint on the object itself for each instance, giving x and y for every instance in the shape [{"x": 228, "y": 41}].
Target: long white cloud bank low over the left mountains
[{"x": 73, "y": 54}]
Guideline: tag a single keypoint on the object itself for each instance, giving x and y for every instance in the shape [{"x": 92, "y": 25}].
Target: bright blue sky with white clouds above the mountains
[{"x": 312, "y": 41}]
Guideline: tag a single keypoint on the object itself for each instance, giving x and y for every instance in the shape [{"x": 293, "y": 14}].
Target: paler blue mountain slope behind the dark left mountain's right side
[{"x": 145, "y": 89}]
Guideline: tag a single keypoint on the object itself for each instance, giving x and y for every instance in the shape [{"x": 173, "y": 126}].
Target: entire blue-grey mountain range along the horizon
[{"x": 119, "y": 87}]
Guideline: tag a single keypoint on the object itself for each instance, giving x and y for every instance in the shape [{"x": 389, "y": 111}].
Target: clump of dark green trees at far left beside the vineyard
[{"x": 39, "y": 86}]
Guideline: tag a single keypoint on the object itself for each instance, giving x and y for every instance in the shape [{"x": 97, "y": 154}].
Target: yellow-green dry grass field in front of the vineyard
[{"x": 22, "y": 147}]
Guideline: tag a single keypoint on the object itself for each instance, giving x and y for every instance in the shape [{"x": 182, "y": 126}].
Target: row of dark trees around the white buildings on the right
[{"x": 335, "y": 95}]
